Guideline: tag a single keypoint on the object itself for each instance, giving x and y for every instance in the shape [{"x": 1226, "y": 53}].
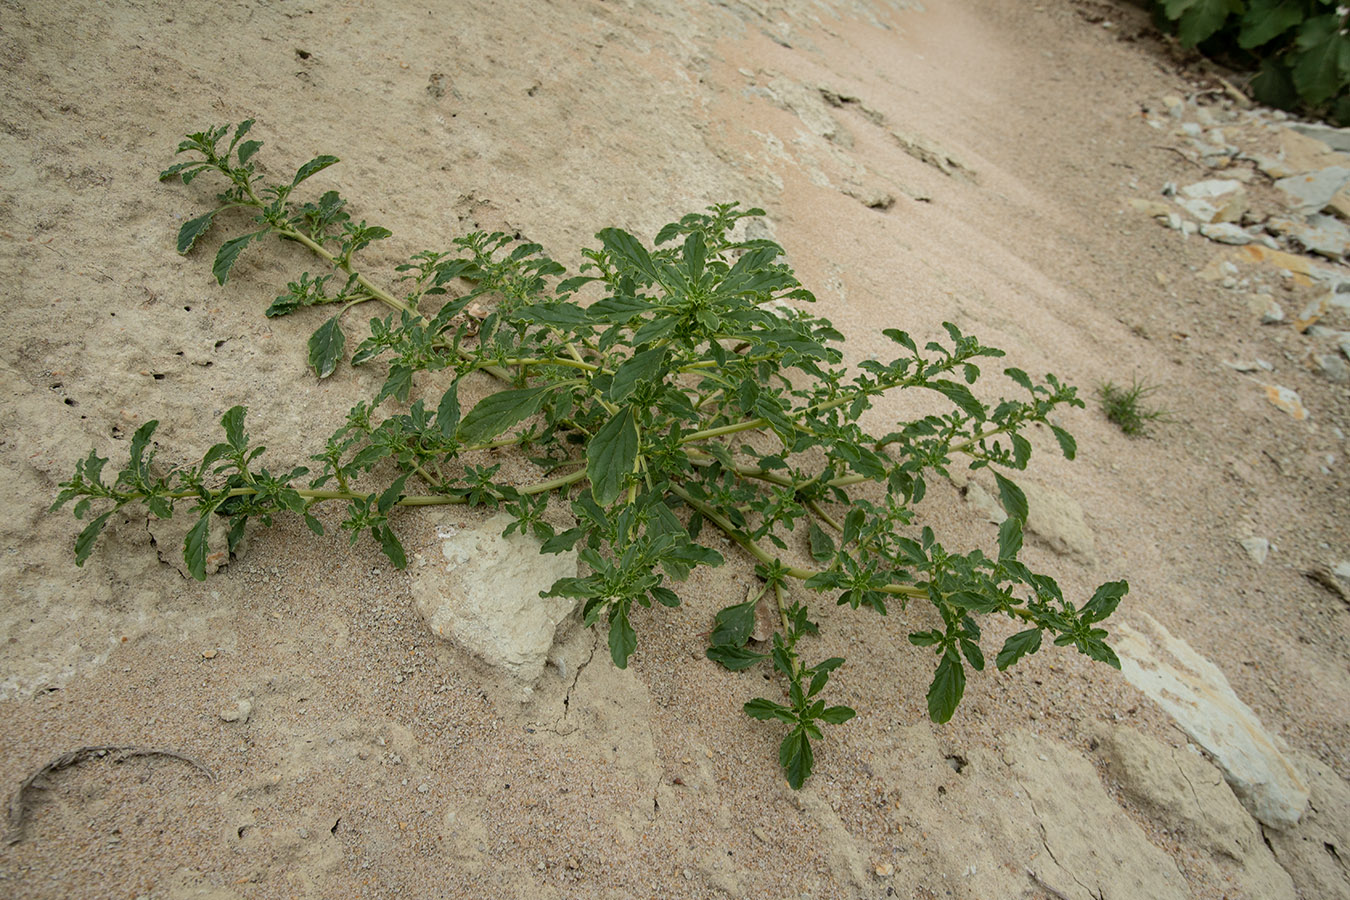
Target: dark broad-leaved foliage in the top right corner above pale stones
[{"x": 1302, "y": 48}]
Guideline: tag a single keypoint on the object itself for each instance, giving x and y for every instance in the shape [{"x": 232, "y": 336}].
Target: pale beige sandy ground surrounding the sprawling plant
[{"x": 380, "y": 762}]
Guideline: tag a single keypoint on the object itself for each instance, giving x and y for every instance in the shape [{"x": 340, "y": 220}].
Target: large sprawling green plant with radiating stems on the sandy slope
[{"x": 688, "y": 395}]
